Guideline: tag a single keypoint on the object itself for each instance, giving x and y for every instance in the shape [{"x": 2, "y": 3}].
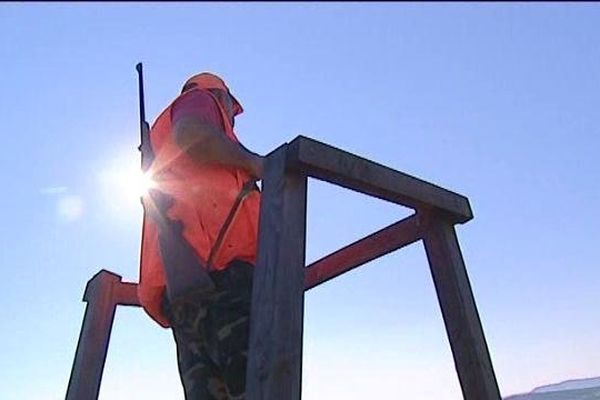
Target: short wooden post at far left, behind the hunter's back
[{"x": 86, "y": 373}]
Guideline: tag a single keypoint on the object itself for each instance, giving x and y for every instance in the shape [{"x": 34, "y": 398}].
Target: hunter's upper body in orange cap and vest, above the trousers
[{"x": 202, "y": 184}]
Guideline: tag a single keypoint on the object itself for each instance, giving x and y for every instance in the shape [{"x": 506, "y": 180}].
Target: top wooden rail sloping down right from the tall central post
[{"x": 333, "y": 165}]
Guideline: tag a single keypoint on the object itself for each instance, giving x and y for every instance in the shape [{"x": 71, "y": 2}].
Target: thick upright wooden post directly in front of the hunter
[{"x": 275, "y": 353}]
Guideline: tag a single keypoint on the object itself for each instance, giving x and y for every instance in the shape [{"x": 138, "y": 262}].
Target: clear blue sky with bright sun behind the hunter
[{"x": 498, "y": 102}]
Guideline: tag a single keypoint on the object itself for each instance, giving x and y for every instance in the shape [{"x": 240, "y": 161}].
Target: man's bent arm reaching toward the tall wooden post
[{"x": 208, "y": 144}]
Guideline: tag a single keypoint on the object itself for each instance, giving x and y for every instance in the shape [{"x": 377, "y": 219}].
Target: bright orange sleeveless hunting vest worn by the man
[{"x": 203, "y": 196}]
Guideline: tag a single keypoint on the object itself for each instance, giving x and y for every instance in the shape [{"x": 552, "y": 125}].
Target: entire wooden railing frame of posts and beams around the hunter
[{"x": 281, "y": 277}]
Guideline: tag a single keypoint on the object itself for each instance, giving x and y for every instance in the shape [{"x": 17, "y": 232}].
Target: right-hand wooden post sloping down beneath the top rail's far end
[{"x": 463, "y": 326}]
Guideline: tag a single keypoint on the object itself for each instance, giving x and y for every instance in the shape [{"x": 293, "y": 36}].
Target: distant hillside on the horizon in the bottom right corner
[{"x": 580, "y": 389}]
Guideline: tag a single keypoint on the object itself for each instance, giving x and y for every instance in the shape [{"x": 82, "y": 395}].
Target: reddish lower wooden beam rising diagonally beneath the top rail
[{"x": 378, "y": 244}]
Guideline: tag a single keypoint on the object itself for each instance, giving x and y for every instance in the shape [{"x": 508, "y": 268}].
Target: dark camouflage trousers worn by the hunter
[{"x": 212, "y": 333}]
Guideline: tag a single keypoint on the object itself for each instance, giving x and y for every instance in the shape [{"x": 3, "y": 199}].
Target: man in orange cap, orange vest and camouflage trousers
[{"x": 206, "y": 174}]
